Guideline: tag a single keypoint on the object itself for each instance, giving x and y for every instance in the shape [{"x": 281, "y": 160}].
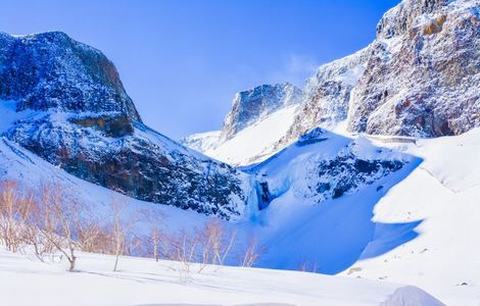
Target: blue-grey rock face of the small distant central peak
[{"x": 251, "y": 105}]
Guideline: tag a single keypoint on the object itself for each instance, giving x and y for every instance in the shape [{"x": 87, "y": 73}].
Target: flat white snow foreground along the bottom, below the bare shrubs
[{"x": 26, "y": 281}]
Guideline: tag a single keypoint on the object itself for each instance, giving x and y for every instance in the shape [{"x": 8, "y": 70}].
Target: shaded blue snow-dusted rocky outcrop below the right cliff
[{"x": 321, "y": 166}]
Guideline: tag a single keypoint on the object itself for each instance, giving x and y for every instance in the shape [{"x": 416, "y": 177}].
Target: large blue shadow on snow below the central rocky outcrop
[{"x": 330, "y": 237}]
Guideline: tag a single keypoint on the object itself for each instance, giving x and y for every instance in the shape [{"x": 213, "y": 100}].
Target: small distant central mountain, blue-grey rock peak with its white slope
[{"x": 249, "y": 108}]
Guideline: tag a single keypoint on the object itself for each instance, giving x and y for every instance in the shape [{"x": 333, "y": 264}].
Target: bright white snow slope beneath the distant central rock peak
[{"x": 255, "y": 142}]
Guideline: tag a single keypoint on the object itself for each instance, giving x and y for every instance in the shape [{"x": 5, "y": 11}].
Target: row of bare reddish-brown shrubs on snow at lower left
[{"x": 49, "y": 220}]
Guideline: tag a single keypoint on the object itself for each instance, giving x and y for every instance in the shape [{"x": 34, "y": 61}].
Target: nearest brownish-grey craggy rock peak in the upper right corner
[{"x": 423, "y": 81}]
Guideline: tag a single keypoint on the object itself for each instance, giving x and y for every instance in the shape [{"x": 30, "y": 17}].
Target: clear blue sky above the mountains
[{"x": 182, "y": 61}]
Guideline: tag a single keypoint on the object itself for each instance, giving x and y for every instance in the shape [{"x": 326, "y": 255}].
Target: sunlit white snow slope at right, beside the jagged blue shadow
[{"x": 444, "y": 193}]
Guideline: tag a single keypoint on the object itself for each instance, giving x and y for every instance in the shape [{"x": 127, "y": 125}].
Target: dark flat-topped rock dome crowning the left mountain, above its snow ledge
[{"x": 50, "y": 71}]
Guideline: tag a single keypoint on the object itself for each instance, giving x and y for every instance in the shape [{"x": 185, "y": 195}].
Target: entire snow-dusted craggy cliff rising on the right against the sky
[{"x": 420, "y": 77}]
